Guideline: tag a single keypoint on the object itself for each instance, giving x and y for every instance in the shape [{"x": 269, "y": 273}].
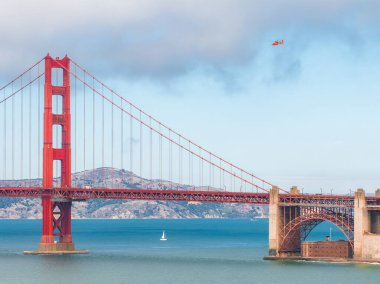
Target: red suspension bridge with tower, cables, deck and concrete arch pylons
[{"x": 59, "y": 119}]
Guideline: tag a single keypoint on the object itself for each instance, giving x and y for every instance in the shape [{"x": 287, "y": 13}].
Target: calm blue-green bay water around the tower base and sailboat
[{"x": 197, "y": 251}]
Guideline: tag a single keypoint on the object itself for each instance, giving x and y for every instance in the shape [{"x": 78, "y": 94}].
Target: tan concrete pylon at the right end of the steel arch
[{"x": 361, "y": 222}]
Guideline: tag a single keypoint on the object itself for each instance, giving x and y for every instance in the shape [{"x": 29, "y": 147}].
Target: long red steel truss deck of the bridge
[{"x": 81, "y": 194}]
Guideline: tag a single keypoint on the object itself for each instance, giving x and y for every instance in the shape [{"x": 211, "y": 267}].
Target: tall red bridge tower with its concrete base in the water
[{"x": 56, "y": 214}]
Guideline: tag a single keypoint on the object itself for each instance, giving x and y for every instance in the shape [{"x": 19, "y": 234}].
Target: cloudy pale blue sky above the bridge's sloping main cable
[{"x": 304, "y": 113}]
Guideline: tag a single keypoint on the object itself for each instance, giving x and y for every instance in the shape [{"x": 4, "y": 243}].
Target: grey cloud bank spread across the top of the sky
[{"x": 161, "y": 38}]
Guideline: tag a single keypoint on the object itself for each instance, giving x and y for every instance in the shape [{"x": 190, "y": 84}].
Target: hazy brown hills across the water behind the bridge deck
[{"x": 16, "y": 208}]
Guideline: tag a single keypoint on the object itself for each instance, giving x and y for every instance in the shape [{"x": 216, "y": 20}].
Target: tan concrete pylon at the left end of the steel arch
[{"x": 274, "y": 221}]
